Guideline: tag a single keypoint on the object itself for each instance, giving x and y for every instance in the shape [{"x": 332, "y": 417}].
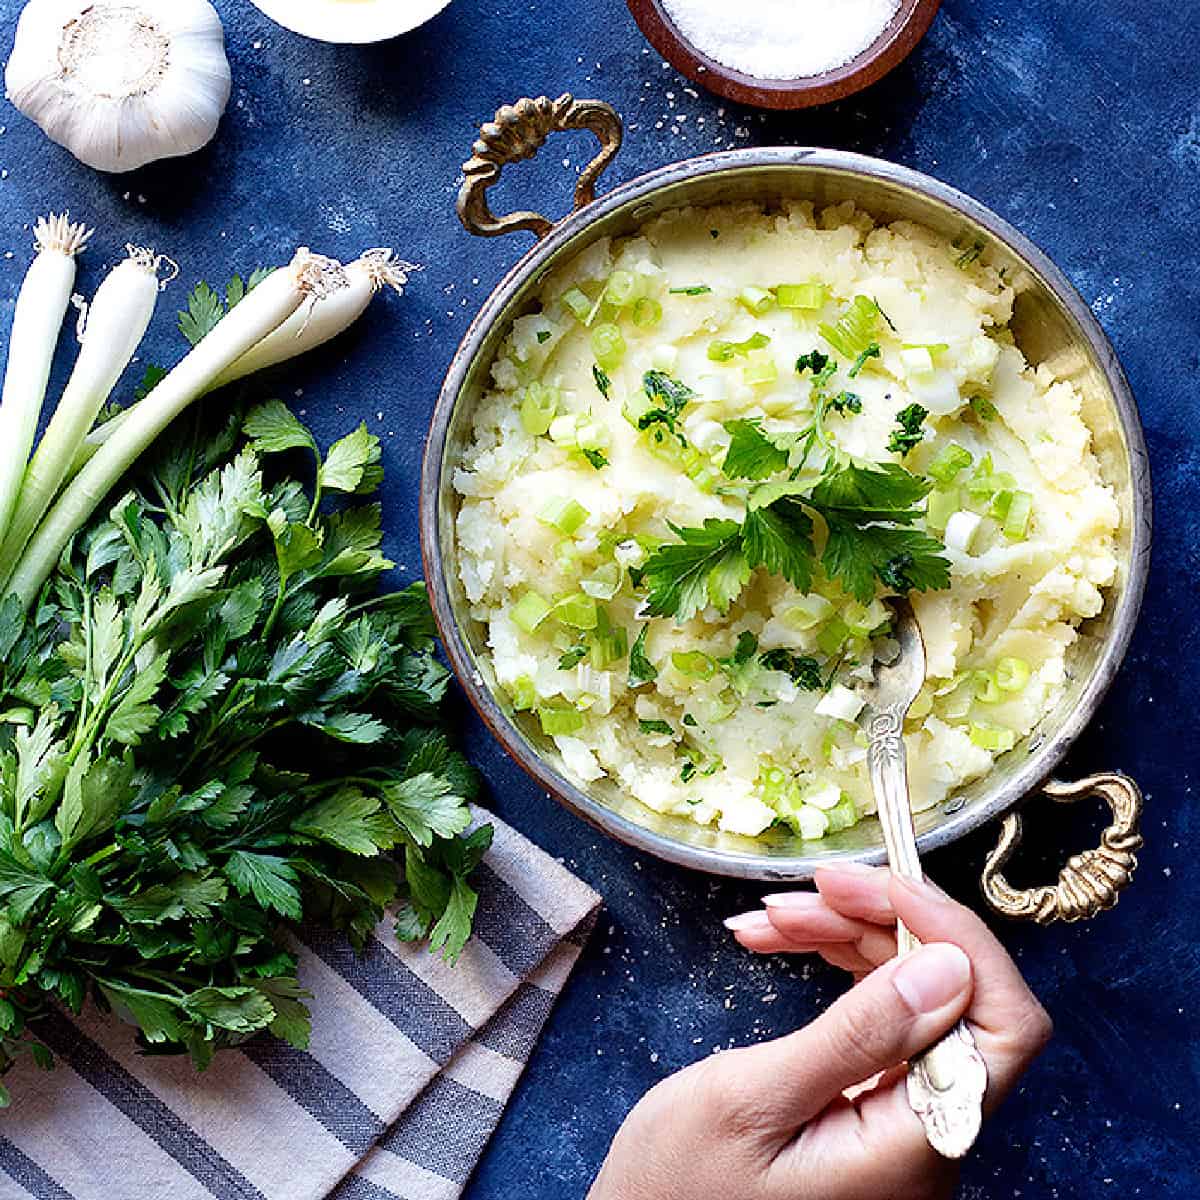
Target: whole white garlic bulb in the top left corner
[{"x": 121, "y": 85}]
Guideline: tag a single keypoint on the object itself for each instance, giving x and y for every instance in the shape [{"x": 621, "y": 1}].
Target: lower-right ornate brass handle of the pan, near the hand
[{"x": 1090, "y": 883}]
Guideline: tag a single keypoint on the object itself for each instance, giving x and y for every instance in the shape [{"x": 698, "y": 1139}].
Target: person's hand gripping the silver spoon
[{"x": 772, "y": 1121}]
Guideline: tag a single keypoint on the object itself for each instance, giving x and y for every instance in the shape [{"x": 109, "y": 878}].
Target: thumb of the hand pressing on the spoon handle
[{"x": 898, "y": 1011}]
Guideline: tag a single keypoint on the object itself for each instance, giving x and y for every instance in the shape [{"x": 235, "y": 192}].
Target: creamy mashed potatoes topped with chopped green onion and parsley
[{"x": 707, "y": 461}]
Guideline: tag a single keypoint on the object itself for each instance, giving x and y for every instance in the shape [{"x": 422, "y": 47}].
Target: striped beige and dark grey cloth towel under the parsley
[{"x": 409, "y": 1072}]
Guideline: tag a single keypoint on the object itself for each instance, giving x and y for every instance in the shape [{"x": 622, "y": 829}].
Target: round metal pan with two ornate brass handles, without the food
[{"x": 1053, "y": 326}]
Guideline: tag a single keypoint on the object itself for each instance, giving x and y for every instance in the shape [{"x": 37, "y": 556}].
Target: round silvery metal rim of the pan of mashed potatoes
[{"x": 1041, "y": 763}]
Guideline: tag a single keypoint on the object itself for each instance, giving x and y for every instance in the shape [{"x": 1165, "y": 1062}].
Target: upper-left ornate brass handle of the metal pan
[{"x": 519, "y": 131}]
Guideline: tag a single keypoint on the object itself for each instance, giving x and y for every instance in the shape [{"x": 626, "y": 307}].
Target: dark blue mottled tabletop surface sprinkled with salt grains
[{"x": 1079, "y": 121}]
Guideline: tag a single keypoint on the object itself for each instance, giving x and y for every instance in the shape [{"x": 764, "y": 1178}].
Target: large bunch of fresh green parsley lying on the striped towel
[{"x": 214, "y": 725}]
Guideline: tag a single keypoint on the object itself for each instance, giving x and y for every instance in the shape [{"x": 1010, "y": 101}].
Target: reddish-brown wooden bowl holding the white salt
[{"x": 890, "y": 50}]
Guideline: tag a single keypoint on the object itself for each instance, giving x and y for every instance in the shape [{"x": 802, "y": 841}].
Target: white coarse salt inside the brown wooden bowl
[{"x": 782, "y": 39}]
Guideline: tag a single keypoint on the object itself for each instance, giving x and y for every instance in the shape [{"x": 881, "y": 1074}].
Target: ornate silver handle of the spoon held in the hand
[{"x": 949, "y": 1082}]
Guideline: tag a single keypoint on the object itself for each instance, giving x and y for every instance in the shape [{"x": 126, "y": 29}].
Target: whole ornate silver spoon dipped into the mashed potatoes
[{"x": 947, "y": 1082}]
